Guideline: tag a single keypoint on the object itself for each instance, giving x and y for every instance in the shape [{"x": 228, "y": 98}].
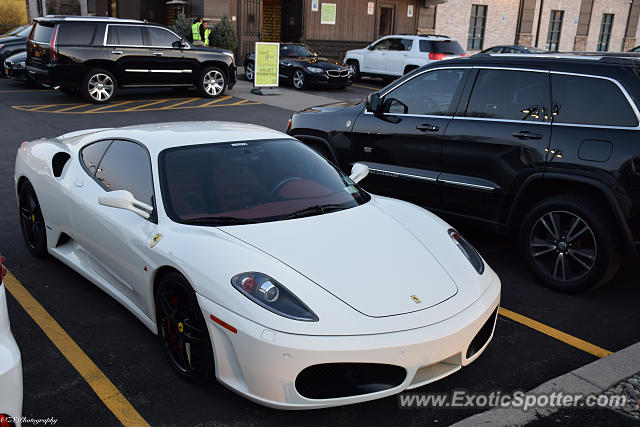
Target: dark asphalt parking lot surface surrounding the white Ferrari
[{"x": 540, "y": 334}]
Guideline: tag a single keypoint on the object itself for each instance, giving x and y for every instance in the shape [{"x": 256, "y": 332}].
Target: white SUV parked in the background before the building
[{"x": 394, "y": 56}]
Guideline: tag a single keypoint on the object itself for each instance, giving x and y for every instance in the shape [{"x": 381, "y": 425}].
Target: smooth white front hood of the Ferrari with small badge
[{"x": 361, "y": 255}]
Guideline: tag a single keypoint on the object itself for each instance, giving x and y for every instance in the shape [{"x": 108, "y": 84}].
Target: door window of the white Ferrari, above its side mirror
[{"x": 127, "y": 166}]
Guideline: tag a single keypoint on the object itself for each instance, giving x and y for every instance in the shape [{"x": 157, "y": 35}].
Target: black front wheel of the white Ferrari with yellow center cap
[{"x": 182, "y": 329}]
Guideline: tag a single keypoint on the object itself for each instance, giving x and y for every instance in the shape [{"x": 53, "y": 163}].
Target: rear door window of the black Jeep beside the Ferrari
[{"x": 508, "y": 95}]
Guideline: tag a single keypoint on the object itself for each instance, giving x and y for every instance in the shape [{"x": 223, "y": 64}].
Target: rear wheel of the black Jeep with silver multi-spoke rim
[{"x": 568, "y": 243}]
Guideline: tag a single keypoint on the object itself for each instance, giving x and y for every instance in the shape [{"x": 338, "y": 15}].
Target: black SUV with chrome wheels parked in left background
[{"x": 101, "y": 55}]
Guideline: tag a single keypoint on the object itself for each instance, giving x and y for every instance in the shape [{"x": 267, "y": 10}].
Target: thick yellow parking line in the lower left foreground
[{"x": 101, "y": 385}]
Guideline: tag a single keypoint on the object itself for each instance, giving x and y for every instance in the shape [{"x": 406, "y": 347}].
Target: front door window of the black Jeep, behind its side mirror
[{"x": 430, "y": 93}]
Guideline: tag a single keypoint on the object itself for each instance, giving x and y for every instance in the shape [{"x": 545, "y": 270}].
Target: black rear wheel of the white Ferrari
[{"x": 32, "y": 223}]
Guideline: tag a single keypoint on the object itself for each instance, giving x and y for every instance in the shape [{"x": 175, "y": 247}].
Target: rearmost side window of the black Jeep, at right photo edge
[{"x": 574, "y": 102}]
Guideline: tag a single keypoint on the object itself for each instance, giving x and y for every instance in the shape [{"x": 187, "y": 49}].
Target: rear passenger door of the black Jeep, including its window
[{"x": 493, "y": 146}]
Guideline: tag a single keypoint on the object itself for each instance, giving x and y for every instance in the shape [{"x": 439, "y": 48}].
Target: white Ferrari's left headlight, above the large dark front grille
[{"x": 268, "y": 293}]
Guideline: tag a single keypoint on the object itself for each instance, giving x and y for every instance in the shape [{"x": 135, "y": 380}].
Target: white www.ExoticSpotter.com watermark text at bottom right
[{"x": 518, "y": 399}]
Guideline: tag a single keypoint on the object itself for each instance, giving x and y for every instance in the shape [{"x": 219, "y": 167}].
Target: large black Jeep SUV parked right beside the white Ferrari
[{"x": 545, "y": 147}]
